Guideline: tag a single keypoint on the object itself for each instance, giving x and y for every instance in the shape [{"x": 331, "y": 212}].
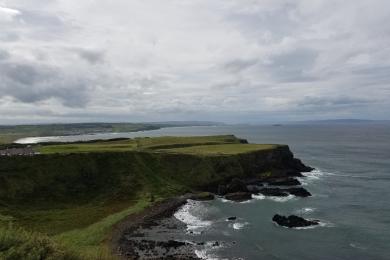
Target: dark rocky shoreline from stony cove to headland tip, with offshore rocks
[{"x": 156, "y": 233}]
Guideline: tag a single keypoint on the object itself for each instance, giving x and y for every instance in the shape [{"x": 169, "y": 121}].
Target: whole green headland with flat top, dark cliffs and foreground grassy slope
[{"x": 76, "y": 200}]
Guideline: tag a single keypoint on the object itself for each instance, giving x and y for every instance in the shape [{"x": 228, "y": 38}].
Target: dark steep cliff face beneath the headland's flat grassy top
[{"x": 90, "y": 176}]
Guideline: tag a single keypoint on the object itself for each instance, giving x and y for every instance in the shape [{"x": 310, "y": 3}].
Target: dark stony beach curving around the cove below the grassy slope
[{"x": 129, "y": 239}]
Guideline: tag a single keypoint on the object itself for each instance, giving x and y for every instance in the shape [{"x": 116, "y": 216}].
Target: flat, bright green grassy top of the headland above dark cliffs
[{"x": 207, "y": 145}]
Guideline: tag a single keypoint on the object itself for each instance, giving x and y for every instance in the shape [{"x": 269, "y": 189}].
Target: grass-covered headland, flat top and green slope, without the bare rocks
[{"x": 76, "y": 197}]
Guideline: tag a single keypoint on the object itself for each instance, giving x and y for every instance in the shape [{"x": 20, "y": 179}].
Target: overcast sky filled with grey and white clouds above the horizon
[{"x": 221, "y": 60}]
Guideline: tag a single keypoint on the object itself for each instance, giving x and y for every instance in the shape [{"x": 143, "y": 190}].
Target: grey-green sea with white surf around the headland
[{"x": 350, "y": 187}]
